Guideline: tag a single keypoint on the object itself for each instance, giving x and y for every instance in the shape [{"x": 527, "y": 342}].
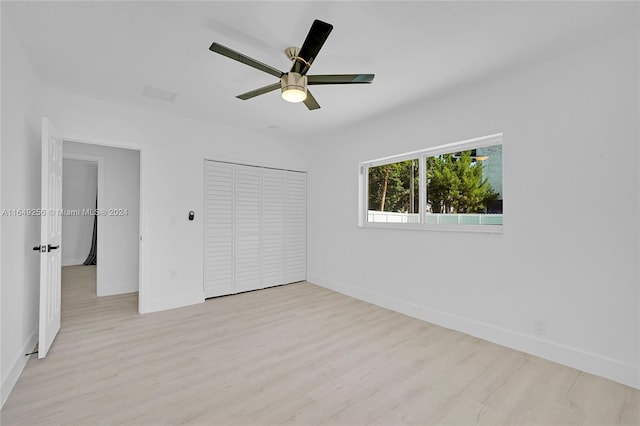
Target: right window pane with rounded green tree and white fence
[{"x": 465, "y": 187}]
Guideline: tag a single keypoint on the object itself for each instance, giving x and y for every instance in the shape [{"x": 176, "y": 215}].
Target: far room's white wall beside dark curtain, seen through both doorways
[{"x": 79, "y": 191}]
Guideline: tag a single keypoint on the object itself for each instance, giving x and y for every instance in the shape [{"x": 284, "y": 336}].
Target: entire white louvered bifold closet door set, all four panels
[{"x": 255, "y": 228}]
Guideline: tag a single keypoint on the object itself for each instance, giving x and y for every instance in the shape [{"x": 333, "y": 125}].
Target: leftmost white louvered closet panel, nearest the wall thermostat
[{"x": 218, "y": 229}]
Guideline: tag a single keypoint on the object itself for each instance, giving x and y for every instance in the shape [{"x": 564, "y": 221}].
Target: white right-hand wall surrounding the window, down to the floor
[{"x": 568, "y": 254}]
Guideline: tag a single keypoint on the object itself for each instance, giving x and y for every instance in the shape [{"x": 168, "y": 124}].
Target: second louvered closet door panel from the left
[{"x": 247, "y": 228}]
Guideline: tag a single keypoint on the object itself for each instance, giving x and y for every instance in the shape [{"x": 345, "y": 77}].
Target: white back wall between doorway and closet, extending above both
[{"x": 172, "y": 180}]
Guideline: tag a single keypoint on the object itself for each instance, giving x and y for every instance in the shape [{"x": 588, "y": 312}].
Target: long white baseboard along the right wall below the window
[{"x": 612, "y": 369}]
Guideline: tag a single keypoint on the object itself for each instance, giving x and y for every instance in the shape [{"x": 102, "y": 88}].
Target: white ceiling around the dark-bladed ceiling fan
[{"x": 417, "y": 50}]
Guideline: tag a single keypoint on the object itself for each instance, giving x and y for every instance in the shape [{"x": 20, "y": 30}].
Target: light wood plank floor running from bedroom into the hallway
[{"x": 296, "y": 354}]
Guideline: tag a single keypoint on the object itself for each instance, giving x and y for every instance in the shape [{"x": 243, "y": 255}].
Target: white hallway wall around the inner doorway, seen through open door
[{"x": 119, "y": 273}]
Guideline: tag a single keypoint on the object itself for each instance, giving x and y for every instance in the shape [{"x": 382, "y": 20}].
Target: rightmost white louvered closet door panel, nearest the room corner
[{"x": 296, "y": 226}]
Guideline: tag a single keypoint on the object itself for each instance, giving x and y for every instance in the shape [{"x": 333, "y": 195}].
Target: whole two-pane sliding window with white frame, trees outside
[{"x": 454, "y": 186}]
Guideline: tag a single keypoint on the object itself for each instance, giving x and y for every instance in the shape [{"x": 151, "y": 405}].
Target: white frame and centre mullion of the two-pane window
[{"x": 421, "y": 155}]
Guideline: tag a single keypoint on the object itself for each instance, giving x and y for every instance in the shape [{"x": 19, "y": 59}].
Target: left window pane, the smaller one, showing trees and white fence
[{"x": 393, "y": 192}]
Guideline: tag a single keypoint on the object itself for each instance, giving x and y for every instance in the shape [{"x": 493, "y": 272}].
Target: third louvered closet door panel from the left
[{"x": 273, "y": 203}]
